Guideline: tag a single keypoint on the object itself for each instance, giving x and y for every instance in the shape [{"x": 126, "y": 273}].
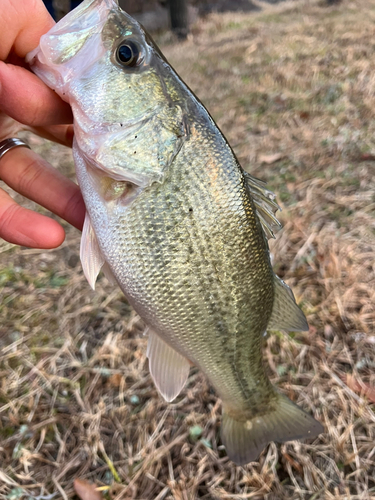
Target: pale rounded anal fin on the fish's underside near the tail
[{"x": 169, "y": 370}]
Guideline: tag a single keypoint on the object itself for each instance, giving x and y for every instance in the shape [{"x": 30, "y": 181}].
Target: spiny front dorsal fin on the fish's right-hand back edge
[{"x": 265, "y": 203}]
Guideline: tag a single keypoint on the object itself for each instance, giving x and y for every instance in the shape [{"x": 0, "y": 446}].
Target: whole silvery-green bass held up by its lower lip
[{"x": 174, "y": 221}]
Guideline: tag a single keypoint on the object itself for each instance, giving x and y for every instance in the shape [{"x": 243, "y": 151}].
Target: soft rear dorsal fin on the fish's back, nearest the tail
[{"x": 286, "y": 315}]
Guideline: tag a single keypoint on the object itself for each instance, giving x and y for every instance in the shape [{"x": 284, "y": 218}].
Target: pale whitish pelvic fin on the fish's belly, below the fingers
[{"x": 91, "y": 256}]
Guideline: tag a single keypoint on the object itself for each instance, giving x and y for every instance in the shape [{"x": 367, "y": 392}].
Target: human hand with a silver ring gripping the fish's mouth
[{"x": 24, "y": 99}]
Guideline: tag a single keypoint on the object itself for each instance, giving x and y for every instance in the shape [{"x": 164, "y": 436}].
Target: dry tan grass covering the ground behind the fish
[{"x": 76, "y": 398}]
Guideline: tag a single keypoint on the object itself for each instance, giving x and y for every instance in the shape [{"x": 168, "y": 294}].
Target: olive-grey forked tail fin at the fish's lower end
[{"x": 245, "y": 439}]
